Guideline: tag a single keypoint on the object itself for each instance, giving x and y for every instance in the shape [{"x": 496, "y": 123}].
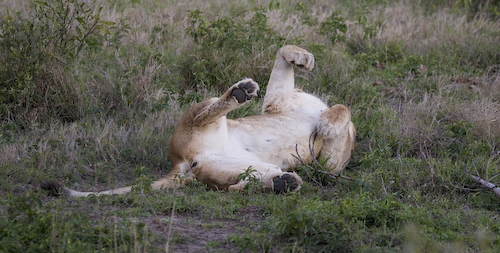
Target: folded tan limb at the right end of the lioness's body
[{"x": 337, "y": 134}]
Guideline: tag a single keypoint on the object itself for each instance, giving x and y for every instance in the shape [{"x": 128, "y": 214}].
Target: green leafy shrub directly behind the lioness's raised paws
[{"x": 228, "y": 49}]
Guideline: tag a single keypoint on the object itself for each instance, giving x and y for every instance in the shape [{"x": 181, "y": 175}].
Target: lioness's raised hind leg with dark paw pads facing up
[{"x": 236, "y": 96}]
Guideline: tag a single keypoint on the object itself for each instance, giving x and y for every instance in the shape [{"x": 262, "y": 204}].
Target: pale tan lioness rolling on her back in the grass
[{"x": 214, "y": 150}]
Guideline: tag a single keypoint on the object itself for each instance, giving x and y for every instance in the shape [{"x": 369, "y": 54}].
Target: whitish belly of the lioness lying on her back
[{"x": 272, "y": 138}]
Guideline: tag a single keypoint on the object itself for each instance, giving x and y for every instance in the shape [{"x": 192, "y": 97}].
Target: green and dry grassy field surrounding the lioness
[{"x": 90, "y": 93}]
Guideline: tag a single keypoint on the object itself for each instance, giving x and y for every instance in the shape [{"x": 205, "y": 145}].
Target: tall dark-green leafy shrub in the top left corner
[{"x": 35, "y": 51}]
